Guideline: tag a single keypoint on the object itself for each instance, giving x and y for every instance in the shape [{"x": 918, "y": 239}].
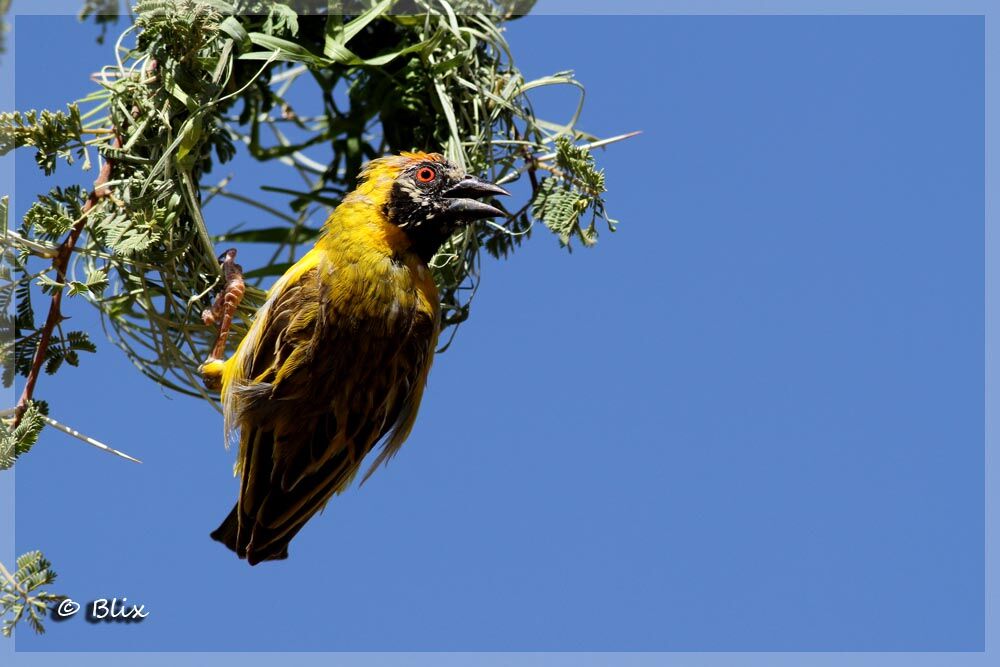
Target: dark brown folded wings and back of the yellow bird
[{"x": 324, "y": 387}]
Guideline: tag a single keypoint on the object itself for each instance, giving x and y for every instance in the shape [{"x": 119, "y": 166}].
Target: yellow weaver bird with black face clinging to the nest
[{"x": 336, "y": 359}]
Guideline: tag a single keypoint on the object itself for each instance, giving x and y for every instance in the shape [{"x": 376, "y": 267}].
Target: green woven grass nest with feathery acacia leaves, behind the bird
[{"x": 193, "y": 82}]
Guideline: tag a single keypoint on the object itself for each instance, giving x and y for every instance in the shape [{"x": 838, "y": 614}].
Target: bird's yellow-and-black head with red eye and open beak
[{"x": 426, "y": 196}]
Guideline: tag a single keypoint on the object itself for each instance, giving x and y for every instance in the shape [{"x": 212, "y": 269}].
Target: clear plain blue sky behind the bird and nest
[{"x": 752, "y": 419}]
